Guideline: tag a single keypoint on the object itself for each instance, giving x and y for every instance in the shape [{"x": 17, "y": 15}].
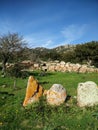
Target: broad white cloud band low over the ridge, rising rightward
[{"x": 70, "y": 34}]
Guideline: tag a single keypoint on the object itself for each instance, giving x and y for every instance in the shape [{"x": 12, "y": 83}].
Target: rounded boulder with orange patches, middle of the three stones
[{"x": 56, "y": 95}]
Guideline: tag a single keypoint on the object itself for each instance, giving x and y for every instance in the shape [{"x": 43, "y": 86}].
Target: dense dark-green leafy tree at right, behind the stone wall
[{"x": 87, "y": 52}]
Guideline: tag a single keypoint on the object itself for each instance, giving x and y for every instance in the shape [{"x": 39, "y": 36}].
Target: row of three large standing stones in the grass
[{"x": 87, "y": 93}]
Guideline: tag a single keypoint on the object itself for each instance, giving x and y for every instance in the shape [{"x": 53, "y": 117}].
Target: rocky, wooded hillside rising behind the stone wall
[{"x": 78, "y": 53}]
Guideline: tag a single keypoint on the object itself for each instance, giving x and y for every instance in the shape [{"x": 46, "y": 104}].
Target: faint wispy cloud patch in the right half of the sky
[{"x": 73, "y": 32}]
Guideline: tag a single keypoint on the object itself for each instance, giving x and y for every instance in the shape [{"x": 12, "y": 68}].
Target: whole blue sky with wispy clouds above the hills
[{"x": 50, "y": 23}]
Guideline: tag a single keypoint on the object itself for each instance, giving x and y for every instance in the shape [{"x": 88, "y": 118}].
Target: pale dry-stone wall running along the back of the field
[{"x": 66, "y": 67}]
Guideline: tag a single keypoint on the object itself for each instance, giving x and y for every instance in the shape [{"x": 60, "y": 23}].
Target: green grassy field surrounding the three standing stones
[{"x": 41, "y": 116}]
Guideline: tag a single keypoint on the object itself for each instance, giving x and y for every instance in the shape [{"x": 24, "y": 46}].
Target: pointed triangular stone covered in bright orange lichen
[{"x": 33, "y": 92}]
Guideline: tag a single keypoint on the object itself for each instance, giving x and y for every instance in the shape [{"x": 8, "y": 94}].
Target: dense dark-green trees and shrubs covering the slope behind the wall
[{"x": 81, "y": 53}]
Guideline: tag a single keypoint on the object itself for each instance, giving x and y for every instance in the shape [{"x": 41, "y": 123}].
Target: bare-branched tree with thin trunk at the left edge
[{"x": 10, "y": 45}]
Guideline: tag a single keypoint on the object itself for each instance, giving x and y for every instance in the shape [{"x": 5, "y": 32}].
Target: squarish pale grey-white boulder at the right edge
[{"x": 87, "y": 94}]
